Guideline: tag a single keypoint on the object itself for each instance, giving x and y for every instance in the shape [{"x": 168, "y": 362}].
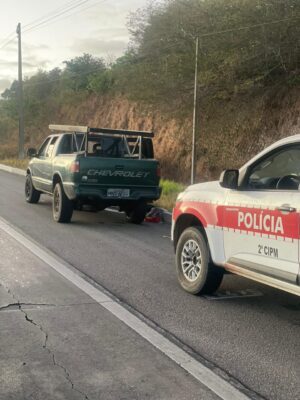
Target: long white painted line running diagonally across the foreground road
[{"x": 200, "y": 372}]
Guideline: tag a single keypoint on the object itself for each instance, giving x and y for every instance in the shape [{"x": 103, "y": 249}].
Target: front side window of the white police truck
[{"x": 278, "y": 171}]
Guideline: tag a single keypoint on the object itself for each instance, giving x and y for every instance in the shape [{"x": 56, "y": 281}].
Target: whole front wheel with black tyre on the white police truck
[{"x": 195, "y": 271}]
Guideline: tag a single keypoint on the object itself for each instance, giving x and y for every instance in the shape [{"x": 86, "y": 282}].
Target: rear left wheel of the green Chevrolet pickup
[{"x": 62, "y": 207}]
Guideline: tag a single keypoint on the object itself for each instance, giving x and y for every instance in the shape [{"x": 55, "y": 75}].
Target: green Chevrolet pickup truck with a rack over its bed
[{"x": 94, "y": 168}]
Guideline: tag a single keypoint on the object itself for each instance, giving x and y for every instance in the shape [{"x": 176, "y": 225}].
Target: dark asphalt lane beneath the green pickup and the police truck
[{"x": 255, "y": 340}]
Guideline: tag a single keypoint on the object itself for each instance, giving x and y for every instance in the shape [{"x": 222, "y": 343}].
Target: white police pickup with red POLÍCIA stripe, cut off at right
[{"x": 247, "y": 224}]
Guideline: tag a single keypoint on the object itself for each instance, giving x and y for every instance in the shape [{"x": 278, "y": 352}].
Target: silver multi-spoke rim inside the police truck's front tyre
[{"x": 191, "y": 260}]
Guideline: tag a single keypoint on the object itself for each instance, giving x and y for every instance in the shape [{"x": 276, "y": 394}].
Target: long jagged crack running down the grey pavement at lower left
[{"x": 51, "y": 353}]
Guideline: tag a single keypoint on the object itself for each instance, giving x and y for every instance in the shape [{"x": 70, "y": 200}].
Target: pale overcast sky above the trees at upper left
[{"x": 97, "y": 27}]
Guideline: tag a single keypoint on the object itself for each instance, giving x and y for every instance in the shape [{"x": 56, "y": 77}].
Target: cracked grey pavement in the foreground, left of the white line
[{"x": 60, "y": 344}]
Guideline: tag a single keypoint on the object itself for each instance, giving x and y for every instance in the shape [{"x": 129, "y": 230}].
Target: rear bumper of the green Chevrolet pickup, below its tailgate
[{"x": 99, "y": 193}]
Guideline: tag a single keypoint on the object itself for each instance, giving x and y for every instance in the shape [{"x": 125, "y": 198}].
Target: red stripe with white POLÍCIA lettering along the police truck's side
[{"x": 255, "y": 220}]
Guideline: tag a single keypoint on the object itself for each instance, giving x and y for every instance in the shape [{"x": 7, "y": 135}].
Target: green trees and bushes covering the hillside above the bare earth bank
[{"x": 246, "y": 46}]
